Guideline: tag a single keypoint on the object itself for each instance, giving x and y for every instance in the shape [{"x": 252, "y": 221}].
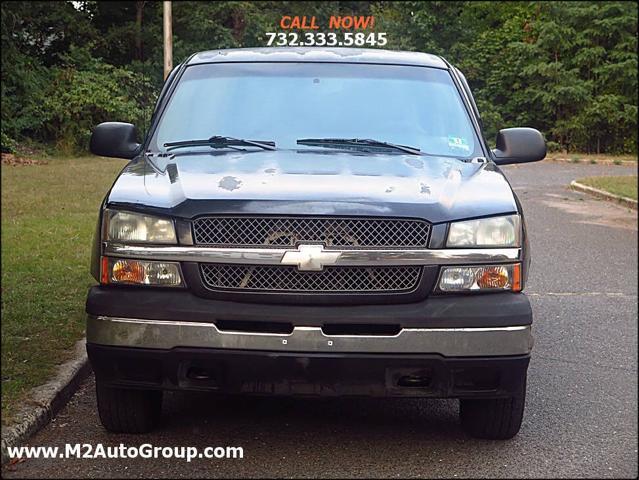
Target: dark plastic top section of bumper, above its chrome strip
[{"x": 437, "y": 311}]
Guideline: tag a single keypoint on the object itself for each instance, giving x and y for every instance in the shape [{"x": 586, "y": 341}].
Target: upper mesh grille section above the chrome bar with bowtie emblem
[{"x": 332, "y": 232}]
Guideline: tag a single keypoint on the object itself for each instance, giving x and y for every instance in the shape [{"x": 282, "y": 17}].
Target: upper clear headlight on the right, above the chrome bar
[{"x": 485, "y": 232}]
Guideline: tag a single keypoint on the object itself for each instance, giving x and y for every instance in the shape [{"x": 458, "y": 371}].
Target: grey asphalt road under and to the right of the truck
[{"x": 581, "y": 412}]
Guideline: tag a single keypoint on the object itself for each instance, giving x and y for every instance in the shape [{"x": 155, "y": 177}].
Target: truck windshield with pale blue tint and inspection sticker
[{"x": 284, "y": 102}]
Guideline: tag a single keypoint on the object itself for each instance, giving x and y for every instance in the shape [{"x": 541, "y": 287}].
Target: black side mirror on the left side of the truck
[{"x": 115, "y": 139}]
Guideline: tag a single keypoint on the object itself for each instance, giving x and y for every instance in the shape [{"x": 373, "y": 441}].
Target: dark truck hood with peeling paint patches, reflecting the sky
[{"x": 438, "y": 189}]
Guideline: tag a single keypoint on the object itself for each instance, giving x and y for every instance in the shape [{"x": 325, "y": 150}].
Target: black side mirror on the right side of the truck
[{"x": 519, "y": 145}]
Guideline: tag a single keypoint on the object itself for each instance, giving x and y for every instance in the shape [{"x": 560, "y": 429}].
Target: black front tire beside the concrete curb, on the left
[{"x": 128, "y": 411}]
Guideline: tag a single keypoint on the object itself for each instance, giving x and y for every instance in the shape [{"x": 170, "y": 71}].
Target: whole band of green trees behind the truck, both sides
[{"x": 566, "y": 68}]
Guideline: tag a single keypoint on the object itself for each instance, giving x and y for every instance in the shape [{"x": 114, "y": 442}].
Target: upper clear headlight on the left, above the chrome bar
[{"x": 135, "y": 227}]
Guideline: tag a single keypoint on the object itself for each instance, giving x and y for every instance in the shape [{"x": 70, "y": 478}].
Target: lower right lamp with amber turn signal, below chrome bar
[{"x": 490, "y": 277}]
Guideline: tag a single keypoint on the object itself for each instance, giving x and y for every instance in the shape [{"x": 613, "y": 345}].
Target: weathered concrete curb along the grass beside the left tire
[{"x": 47, "y": 400}]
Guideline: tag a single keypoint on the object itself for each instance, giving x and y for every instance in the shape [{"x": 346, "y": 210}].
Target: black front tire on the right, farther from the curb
[{"x": 496, "y": 419}]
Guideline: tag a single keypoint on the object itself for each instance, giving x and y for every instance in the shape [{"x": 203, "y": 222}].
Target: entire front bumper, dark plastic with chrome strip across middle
[{"x": 447, "y": 346}]
